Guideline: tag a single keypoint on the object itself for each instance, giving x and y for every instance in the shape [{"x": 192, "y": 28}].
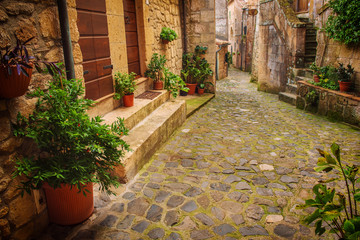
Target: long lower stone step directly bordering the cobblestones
[{"x": 149, "y": 135}]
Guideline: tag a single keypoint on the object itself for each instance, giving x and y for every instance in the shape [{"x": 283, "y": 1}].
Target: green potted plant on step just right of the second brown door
[{"x": 155, "y": 70}]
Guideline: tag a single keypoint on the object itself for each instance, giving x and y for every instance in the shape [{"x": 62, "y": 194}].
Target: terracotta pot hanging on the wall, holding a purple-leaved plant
[{"x": 13, "y": 85}]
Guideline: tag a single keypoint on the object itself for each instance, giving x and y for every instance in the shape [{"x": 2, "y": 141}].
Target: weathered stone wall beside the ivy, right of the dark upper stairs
[{"x": 330, "y": 52}]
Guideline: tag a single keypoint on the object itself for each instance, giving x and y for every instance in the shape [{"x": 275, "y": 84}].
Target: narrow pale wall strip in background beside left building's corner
[{"x": 221, "y": 19}]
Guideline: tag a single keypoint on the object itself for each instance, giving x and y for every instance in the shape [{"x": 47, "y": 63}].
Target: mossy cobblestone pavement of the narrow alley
[{"x": 235, "y": 170}]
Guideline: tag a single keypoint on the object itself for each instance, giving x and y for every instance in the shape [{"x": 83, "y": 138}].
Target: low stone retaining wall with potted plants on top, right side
[{"x": 334, "y": 104}]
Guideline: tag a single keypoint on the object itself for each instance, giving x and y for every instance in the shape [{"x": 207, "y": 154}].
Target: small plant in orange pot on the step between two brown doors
[{"x": 125, "y": 86}]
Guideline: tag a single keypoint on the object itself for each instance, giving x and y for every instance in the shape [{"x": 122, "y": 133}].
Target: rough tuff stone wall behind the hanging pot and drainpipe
[{"x": 21, "y": 217}]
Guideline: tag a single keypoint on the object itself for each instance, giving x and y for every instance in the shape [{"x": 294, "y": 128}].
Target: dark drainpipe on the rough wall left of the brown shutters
[{"x": 66, "y": 39}]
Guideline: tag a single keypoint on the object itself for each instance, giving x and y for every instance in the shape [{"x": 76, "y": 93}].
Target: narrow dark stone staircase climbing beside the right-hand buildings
[{"x": 301, "y": 74}]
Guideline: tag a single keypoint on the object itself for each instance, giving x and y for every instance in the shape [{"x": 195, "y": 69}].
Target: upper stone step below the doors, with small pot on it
[{"x": 141, "y": 109}]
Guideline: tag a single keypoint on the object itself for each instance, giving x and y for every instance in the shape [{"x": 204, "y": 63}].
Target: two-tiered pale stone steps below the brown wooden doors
[{"x": 151, "y": 122}]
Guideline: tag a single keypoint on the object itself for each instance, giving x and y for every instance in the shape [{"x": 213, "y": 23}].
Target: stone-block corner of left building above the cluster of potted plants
[{"x": 200, "y": 29}]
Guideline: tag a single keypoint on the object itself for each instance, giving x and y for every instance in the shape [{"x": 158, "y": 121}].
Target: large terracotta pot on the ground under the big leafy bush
[{"x": 66, "y": 206}]
